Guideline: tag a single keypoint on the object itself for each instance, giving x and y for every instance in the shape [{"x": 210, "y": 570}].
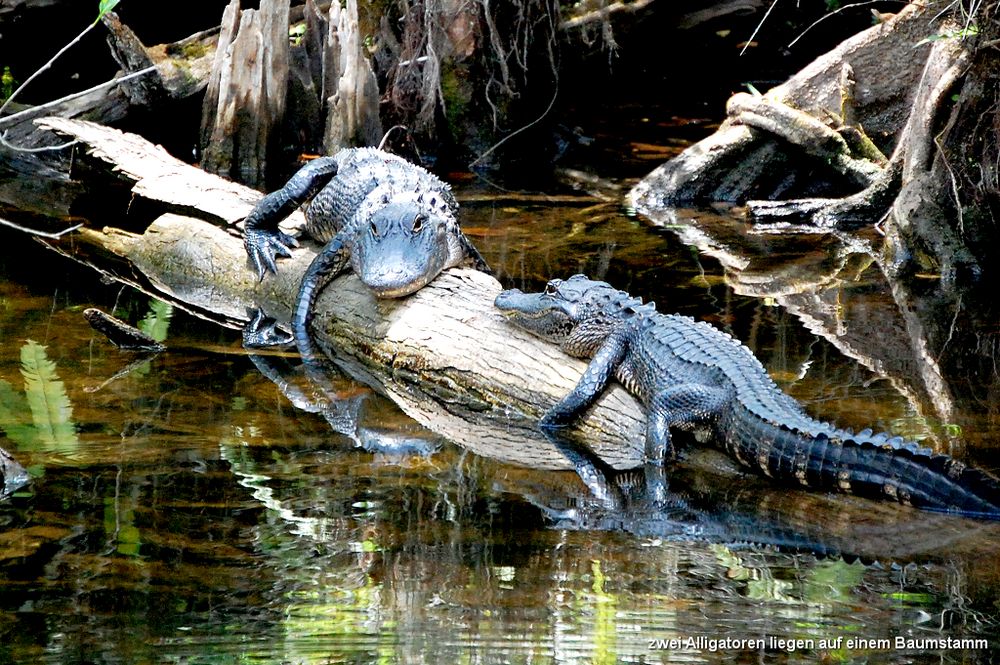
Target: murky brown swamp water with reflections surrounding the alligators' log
[{"x": 185, "y": 511}]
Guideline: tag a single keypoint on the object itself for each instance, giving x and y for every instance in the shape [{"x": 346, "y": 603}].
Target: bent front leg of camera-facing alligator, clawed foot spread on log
[{"x": 261, "y": 236}]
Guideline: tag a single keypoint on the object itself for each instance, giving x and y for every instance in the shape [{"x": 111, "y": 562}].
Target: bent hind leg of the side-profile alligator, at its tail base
[{"x": 683, "y": 406}]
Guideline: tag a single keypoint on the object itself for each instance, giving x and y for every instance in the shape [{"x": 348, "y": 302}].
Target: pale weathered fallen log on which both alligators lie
[{"x": 444, "y": 355}]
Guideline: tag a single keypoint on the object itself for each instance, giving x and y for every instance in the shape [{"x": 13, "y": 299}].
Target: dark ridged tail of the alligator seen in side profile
[{"x": 879, "y": 466}]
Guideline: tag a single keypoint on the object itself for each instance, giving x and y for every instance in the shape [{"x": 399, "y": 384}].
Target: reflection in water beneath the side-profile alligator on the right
[{"x": 705, "y": 498}]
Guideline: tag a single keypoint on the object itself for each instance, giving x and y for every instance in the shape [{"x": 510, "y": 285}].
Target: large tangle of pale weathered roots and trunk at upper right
[{"x": 920, "y": 87}]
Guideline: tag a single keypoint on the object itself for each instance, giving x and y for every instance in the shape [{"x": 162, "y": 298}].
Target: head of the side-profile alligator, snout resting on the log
[{"x": 577, "y": 313}]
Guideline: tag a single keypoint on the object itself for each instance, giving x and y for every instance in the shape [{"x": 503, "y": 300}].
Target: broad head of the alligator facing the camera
[{"x": 404, "y": 246}]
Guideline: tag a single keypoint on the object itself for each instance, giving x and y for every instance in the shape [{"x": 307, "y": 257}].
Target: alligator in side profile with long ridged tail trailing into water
[{"x": 689, "y": 374}]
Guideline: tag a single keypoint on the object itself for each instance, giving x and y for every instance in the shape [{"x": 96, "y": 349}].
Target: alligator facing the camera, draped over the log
[{"x": 394, "y": 221}]
